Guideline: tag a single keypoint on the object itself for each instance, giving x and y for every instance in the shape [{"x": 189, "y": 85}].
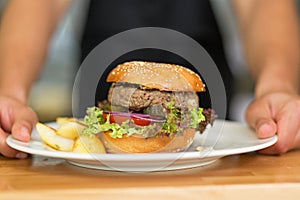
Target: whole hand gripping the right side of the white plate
[{"x": 276, "y": 113}]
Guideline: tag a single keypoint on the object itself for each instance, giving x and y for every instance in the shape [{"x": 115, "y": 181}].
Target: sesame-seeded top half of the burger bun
[{"x": 161, "y": 76}]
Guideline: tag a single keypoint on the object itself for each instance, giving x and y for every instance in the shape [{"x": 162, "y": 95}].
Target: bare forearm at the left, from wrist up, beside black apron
[{"x": 25, "y": 32}]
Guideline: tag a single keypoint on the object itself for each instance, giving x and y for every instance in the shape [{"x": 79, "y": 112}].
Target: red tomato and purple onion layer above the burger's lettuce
[{"x": 138, "y": 119}]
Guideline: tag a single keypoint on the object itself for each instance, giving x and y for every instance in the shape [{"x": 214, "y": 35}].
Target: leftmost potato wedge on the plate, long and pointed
[{"x": 55, "y": 141}]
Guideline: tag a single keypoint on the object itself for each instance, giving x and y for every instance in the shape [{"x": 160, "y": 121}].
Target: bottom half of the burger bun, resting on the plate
[{"x": 134, "y": 144}]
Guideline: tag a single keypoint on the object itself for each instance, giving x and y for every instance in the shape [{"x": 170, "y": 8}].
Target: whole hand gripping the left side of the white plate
[{"x": 17, "y": 119}]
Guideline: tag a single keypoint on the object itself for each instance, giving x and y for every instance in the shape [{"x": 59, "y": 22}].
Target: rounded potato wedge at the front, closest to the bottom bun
[{"x": 88, "y": 144}]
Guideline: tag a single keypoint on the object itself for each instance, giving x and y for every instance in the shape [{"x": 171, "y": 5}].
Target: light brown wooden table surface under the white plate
[{"x": 246, "y": 176}]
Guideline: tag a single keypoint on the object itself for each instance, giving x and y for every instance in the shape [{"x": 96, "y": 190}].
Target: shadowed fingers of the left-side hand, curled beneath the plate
[{"x": 7, "y": 150}]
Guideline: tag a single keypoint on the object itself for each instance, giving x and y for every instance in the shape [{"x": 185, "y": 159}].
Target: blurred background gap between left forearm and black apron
[{"x": 52, "y": 95}]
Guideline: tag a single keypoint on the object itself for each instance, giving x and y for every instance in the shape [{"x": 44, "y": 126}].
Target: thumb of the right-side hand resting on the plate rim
[{"x": 259, "y": 117}]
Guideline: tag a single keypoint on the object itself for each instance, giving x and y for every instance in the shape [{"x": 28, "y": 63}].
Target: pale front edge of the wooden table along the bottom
[{"x": 231, "y": 191}]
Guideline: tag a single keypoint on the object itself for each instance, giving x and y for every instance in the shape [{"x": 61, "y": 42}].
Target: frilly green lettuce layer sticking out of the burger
[{"x": 96, "y": 123}]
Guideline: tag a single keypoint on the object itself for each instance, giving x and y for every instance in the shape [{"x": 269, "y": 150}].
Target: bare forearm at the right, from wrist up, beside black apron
[{"x": 271, "y": 38}]
